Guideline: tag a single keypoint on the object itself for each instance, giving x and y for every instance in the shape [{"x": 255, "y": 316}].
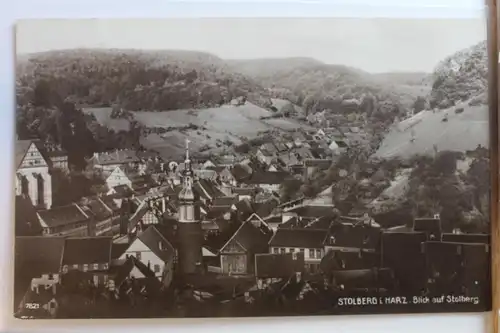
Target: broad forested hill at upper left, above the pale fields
[{"x": 160, "y": 80}]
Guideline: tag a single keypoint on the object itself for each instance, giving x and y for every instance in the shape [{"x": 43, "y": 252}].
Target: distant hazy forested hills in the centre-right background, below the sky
[{"x": 317, "y": 86}]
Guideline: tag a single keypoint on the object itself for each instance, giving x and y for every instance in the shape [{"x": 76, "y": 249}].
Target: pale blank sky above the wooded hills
[{"x": 373, "y": 45}]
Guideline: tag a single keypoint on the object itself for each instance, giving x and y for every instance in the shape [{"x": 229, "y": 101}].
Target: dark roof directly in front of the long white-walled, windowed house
[{"x": 278, "y": 265}]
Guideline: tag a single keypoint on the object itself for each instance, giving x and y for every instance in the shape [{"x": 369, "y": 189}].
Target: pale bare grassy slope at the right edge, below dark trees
[{"x": 463, "y": 131}]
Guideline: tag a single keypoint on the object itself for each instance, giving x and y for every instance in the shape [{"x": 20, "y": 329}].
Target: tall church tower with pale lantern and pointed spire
[{"x": 189, "y": 232}]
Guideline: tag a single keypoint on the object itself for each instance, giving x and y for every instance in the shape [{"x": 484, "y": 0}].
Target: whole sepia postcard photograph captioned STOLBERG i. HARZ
[{"x": 250, "y": 167}]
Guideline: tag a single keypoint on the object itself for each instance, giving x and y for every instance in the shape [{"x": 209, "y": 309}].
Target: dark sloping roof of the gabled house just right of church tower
[{"x": 254, "y": 239}]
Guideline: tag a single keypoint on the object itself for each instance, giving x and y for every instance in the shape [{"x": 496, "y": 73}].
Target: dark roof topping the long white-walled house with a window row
[{"x": 301, "y": 238}]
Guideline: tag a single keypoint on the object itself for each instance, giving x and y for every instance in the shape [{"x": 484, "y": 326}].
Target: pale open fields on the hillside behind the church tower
[{"x": 216, "y": 125}]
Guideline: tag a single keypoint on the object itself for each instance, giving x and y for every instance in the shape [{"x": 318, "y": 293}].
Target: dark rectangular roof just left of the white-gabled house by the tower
[{"x": 87, "y": 250}]
